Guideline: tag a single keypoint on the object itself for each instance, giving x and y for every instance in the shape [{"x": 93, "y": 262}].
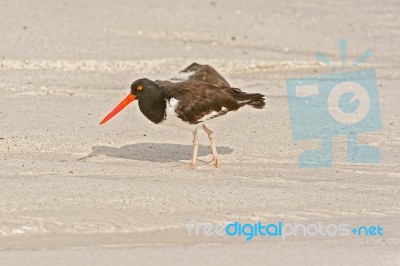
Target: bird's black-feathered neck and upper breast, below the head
[{"x": 153, "y": 106}]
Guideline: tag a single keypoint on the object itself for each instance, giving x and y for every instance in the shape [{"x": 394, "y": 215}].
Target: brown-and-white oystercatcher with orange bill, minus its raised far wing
[{"x": 188, "y": 105}]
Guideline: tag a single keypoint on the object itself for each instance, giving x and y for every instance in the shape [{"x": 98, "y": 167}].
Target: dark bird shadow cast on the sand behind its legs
[{"x": 154, "y": 152}]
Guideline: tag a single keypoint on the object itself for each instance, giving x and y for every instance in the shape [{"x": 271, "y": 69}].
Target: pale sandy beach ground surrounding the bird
[{"x": 75, "y": 193}]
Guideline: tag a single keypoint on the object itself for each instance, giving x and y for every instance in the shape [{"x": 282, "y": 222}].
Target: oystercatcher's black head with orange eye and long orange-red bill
[{"x": 139, "y": 89}]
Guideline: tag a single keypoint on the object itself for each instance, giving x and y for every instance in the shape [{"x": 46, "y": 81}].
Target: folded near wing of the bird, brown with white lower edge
[{"x": 199, "y": 101}]
